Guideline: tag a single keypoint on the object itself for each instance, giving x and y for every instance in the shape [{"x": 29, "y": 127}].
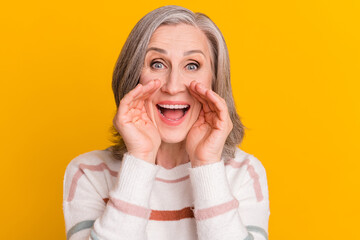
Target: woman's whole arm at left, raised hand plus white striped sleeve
[{"x": 126, "y": 213}]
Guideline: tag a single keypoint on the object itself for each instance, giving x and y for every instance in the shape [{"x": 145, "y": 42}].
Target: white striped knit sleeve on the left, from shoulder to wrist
[{"x": 126, "y": 213}]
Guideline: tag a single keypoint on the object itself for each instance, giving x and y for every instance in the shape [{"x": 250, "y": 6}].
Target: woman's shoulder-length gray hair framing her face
[{"x": 129, "y": 65}]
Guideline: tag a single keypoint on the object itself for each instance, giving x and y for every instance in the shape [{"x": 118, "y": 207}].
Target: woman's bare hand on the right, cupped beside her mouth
[{"x": 206, "y": 139}]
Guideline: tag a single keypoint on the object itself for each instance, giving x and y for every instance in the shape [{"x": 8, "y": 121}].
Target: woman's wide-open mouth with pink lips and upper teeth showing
[{"x": 172, "y": 113}]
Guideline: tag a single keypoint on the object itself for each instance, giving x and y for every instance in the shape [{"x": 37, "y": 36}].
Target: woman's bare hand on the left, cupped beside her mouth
[{"x": 140, "y": 135}]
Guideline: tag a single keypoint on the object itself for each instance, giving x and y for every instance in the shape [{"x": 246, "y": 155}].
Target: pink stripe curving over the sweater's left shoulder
[{"x": 80, "y": 172}]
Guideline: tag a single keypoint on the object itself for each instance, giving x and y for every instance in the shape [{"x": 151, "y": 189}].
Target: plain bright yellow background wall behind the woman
[{"x": 295, "y": 73}]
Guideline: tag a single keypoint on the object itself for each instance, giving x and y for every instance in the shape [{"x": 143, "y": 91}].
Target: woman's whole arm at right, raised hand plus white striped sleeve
[{"x": 222, "y": 211}]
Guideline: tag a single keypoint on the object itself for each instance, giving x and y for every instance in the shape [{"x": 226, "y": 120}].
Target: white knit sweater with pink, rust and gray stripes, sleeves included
[{"x": 131, "y": 199}]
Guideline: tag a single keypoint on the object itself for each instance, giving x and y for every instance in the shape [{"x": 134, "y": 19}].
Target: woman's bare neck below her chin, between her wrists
[{"x": 171, "y": 155}]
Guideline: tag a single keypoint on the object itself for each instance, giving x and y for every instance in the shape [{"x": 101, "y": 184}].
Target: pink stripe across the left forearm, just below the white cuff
[{"x": 130, "y": 209}]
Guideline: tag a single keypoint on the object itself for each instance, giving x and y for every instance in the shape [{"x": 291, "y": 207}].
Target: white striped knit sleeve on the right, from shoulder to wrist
[{"x": 229, "y": 212}]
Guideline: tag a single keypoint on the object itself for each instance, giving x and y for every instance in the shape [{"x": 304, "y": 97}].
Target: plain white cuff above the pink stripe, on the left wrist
[{"x": 135, "y": 180}]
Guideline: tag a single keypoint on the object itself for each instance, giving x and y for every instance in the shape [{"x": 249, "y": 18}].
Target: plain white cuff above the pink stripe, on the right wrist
[{"x": 210, "y": 184}]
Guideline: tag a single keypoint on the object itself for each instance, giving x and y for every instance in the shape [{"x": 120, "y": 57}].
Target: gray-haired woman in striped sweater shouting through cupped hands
[{"x": 175, "y": 171}]
